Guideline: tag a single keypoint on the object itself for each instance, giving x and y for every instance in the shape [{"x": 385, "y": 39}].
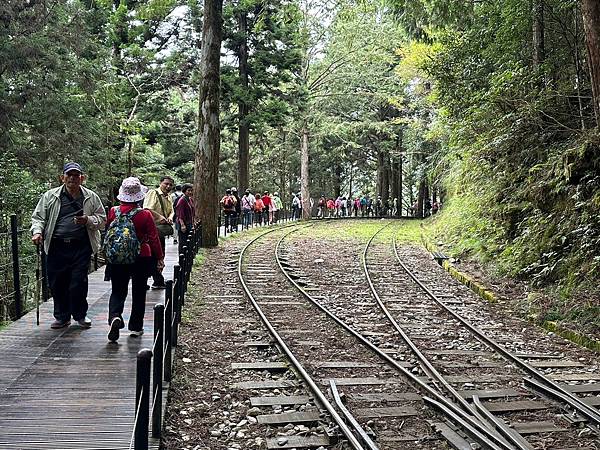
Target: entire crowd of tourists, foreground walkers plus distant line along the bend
[{"x": 68, "y": 221}]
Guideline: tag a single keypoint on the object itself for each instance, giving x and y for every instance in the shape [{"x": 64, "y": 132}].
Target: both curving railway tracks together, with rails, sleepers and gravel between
[{"x": 425, "y": 381}]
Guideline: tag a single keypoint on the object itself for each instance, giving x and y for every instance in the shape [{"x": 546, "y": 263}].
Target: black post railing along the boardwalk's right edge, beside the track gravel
[{"x": 159, "y": 360}]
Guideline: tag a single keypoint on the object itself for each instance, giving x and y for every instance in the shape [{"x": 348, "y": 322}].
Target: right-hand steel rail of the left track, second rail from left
[{"x": 478, "y": 431}]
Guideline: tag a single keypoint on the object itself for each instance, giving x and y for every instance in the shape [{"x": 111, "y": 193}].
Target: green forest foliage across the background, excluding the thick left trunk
[{"x": 488, "y": 107}]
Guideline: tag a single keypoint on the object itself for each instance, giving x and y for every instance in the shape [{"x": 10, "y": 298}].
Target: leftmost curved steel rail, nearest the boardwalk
[{"x": 297, "y": 365}]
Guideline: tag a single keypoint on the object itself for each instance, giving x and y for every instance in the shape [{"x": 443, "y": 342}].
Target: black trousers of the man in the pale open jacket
[{"x": 68, "y": 263}]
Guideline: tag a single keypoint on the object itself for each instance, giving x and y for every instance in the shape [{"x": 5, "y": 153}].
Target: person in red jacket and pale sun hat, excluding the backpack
[{"x": 151, "y": 256}]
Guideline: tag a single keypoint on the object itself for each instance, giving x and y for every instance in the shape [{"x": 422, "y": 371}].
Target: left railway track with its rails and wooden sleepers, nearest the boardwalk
[{"x": 371, "y": 379}]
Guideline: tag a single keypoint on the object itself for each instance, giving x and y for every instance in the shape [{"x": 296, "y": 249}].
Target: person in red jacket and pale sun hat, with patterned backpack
[{"x": 133, "y": 249}]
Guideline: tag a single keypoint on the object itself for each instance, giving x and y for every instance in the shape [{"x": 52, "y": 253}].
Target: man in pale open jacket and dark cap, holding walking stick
[{"x": 67, "y": 221}]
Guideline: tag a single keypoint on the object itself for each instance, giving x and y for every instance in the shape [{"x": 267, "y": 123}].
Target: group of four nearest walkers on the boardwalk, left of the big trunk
[{"x": 68, "y": 221}]
